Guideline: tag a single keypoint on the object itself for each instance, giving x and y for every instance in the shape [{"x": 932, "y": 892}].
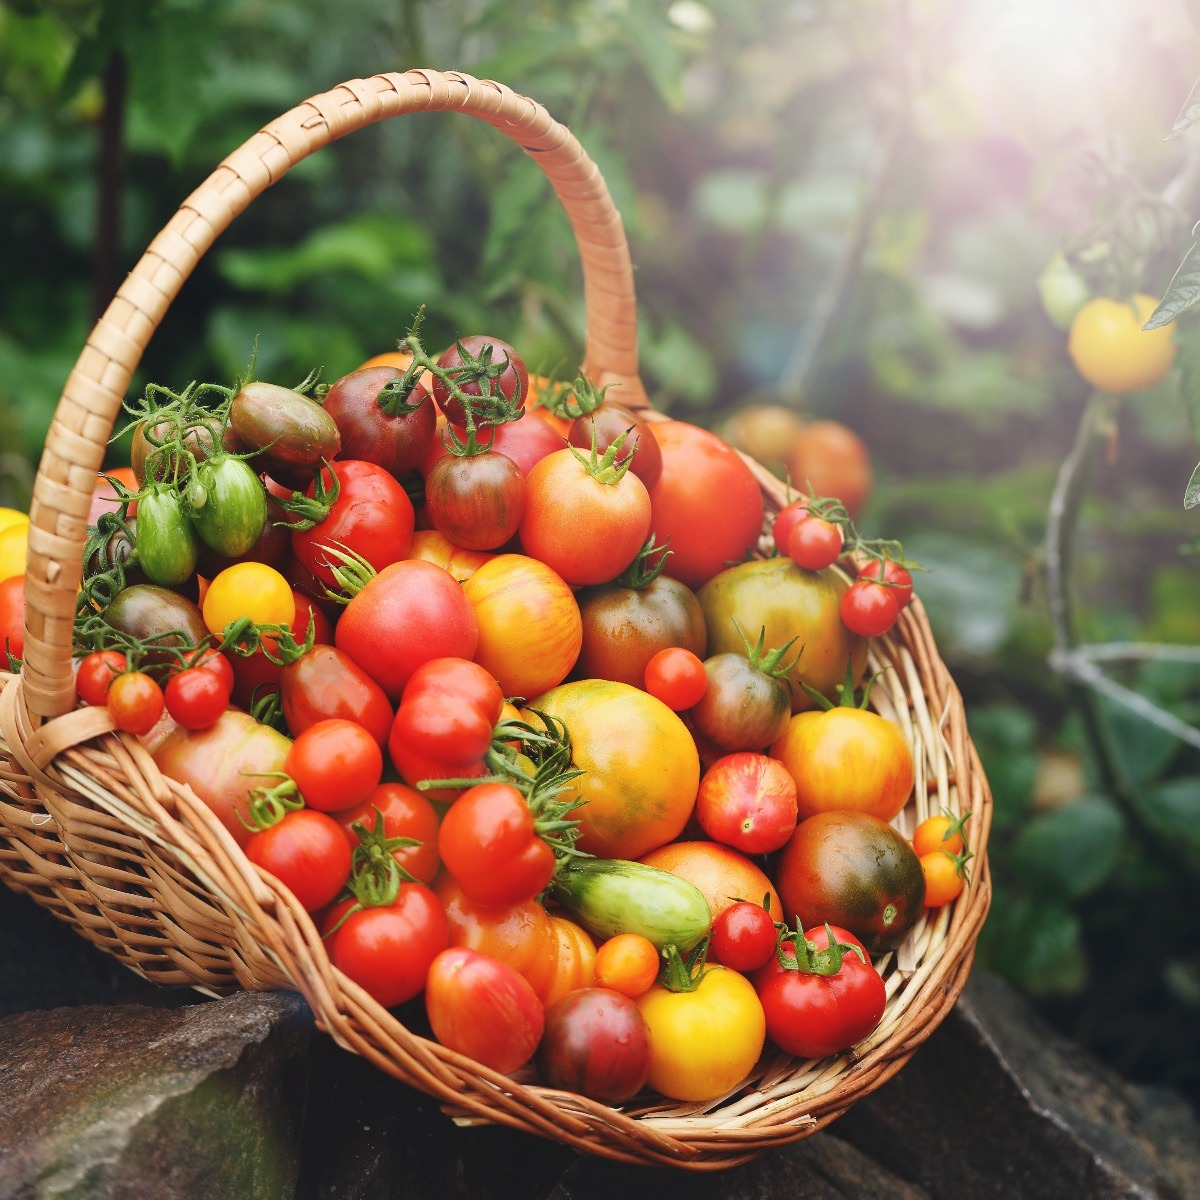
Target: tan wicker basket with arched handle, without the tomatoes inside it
[{"x": 94, "y": 832}]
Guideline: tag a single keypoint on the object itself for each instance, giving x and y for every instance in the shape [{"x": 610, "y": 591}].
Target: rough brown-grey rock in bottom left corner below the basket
[{"x": 137, "y": 1103}]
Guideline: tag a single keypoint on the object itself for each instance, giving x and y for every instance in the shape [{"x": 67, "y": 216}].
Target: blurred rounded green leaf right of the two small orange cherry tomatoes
[{"x": 1071, "y": 851}]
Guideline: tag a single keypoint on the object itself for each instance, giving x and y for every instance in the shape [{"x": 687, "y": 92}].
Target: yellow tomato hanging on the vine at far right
[{"x": 1111, "y": 349}]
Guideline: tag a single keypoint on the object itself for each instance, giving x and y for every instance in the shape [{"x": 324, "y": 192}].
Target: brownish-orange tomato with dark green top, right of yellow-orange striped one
[{"x": 625, "y": 628}]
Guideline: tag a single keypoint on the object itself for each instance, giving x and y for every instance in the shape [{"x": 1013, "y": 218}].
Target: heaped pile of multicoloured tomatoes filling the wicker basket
[{"x": 491, "y": 675}]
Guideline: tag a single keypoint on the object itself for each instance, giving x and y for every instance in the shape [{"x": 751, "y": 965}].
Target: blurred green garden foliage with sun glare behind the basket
[{"x": 841, "y": 208}]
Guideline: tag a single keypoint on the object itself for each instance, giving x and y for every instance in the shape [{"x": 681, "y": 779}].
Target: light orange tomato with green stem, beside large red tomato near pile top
[{"x": 587, "y": 519}]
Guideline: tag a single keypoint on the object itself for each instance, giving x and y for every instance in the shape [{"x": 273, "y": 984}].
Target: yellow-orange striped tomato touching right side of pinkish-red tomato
[{"x": 530, "y": 625}]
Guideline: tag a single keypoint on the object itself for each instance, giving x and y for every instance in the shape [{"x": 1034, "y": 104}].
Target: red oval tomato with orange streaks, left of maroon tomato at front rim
[{"x": 483, "y": 1009}]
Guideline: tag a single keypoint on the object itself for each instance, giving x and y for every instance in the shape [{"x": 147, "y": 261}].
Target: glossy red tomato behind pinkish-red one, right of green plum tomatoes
[{"x": 373, "y": 518}]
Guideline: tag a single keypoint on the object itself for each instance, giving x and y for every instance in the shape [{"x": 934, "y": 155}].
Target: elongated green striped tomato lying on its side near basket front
[{"x": 610, "y": 897}]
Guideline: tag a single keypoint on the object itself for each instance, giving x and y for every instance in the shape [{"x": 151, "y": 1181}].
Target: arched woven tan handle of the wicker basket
[{"x": 92, "y": 399}]
